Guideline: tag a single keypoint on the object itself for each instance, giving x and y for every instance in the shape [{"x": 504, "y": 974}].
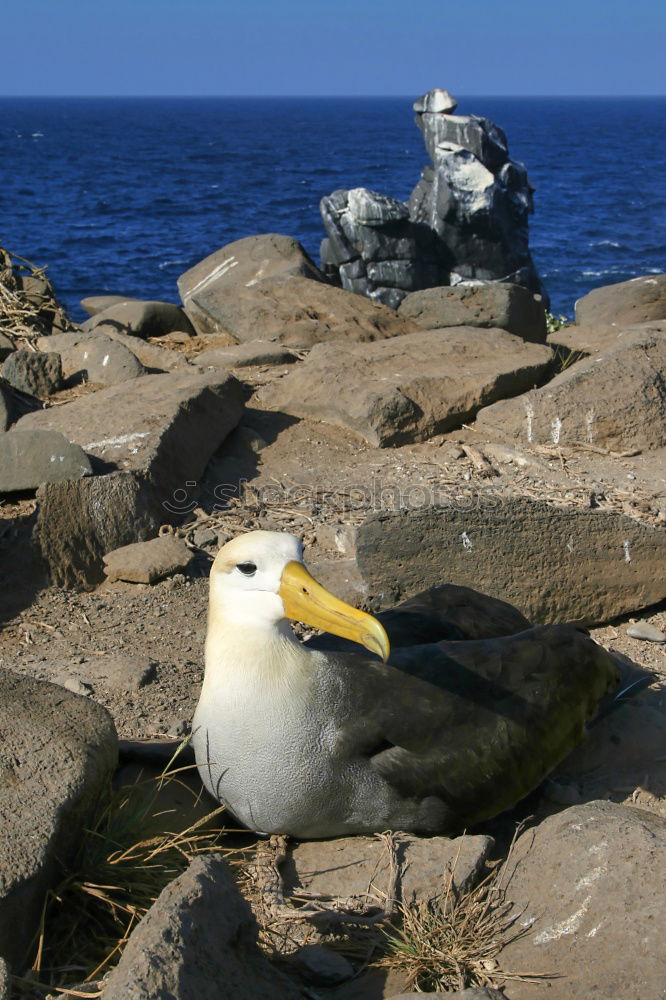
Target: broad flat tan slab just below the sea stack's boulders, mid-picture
[{"x": 409, "y": 388}]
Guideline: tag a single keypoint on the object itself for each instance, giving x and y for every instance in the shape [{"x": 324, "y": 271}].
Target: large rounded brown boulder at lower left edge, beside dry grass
[{"x": 57, "y": 752}]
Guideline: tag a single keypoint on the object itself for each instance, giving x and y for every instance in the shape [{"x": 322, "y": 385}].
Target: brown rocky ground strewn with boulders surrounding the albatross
[{"x": 406, "y": 448}]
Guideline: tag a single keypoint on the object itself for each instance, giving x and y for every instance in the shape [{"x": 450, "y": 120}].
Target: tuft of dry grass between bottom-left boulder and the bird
[{"x": 129, "y": 853}]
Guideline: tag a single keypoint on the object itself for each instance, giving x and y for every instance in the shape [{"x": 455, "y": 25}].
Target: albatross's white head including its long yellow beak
[{"x": 258, "y": 580}]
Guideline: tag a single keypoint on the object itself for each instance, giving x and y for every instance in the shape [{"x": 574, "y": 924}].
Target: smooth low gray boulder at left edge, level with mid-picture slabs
[{"x": 30, "y": 458}]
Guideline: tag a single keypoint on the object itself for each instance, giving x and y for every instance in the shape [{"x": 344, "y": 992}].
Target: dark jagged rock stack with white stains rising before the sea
[{"x": 466, "y": 221}]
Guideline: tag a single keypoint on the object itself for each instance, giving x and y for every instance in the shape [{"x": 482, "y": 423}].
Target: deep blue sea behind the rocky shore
[{"x": 122, "y": 195}]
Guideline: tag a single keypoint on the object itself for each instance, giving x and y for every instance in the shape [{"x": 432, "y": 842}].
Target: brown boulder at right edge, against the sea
[{"x": 625, "y": 303}]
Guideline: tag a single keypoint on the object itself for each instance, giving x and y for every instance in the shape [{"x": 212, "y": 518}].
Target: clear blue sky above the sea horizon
[{"x": 302, "y": 47}]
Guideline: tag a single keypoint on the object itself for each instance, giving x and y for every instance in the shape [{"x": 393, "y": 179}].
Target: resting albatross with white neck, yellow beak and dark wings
[{"x": 465, "y": 715}]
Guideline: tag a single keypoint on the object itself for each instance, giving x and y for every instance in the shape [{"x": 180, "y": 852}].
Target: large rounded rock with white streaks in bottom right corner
[{"x": 588, "y": 887}]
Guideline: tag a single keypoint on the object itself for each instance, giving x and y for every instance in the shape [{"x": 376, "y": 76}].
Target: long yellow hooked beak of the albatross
[{"x": 307, "y": 601}]
